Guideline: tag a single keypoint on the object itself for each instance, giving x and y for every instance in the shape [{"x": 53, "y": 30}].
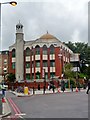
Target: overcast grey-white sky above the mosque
[{"x": 66, "y": 20}]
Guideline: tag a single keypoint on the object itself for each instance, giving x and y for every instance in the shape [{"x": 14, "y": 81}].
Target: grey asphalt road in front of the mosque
[{"x": 63, "y": 105}]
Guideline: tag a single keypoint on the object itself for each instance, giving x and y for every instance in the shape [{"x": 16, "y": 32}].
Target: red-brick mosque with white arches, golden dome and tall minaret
[{"x": 41, "y": 58}]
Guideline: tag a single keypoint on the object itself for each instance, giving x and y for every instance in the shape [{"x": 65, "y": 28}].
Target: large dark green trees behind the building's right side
[{"x": 84, "y": 50}]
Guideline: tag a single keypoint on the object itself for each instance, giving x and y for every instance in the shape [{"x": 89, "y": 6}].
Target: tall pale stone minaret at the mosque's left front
[{"x": 19, "y": 52}]
